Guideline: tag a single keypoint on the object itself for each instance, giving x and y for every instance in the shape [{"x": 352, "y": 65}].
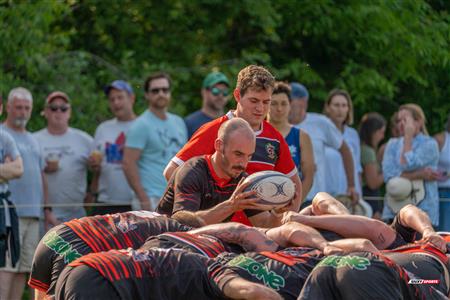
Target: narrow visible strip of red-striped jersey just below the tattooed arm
[{"x": 203, "y": 244}]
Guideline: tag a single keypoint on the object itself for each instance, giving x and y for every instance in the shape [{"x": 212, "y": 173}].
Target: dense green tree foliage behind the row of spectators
[{"x": 384, "y": 53}]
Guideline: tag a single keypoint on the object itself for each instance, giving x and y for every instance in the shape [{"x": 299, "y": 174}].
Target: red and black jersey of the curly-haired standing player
[{"x": 271, "y": 153}]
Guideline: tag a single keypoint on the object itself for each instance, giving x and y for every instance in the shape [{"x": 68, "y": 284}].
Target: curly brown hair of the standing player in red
[{"x": 254, "y": 77}]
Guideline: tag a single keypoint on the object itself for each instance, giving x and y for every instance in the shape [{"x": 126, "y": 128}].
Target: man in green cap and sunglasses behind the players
[{"x": 215, "y": 91}]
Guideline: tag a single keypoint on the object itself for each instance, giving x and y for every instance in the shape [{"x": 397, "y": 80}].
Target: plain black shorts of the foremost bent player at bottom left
[{"x": 83, "y": 282}]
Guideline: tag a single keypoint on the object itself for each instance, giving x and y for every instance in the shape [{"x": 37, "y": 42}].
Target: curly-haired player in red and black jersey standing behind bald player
[{"x": 253, "y": 95}]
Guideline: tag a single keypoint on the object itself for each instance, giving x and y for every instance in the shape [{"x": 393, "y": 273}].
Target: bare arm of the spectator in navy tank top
[{"x": 307, "y": 163}]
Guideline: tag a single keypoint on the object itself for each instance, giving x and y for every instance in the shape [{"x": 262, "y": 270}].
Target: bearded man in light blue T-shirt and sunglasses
[{"x": 151, "y": 141}]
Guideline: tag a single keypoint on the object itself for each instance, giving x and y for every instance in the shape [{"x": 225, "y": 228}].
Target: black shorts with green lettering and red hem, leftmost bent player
[{"x": 57, "y": 248}]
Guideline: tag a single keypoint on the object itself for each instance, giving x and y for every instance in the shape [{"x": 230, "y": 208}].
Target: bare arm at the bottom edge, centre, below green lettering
[{"x": 240, "y": 288}]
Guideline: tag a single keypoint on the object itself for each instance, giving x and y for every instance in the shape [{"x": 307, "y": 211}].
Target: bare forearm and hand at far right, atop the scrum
[{"x": 415, "y": 218}]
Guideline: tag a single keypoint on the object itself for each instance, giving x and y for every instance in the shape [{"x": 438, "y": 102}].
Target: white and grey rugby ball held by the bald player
[{"x": 273, "y": 188}]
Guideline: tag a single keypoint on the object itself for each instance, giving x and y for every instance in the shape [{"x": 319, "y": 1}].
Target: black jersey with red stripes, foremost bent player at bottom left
[{"x": 143, "y": 274}]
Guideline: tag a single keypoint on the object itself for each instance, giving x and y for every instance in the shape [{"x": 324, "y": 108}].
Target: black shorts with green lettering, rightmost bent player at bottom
[{"x": 363, "y": 276}]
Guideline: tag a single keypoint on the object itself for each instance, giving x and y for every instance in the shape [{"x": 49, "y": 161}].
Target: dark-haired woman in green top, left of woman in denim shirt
[{"x": 371, "y": 132}]
